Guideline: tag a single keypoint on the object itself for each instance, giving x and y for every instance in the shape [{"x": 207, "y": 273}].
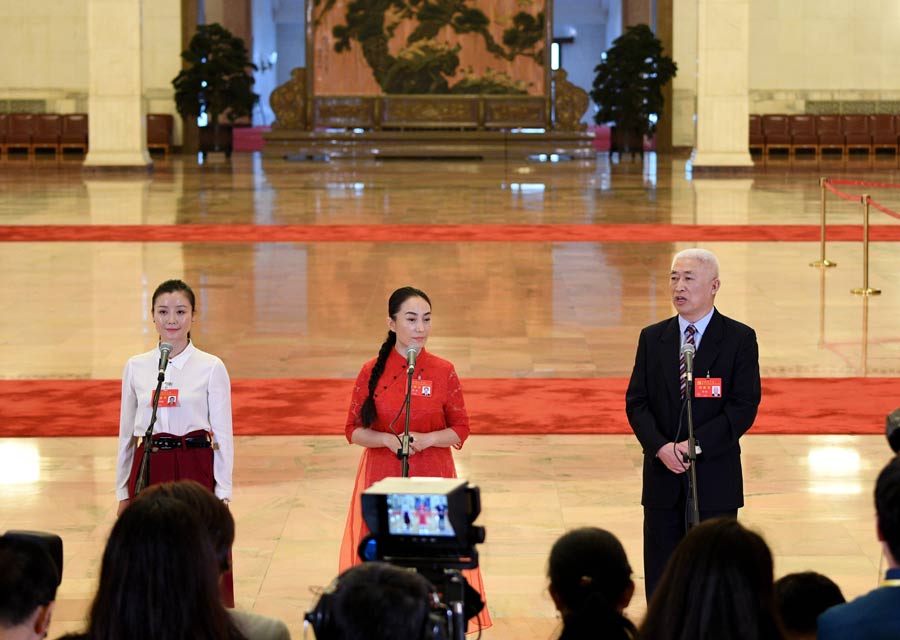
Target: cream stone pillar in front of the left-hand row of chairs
[{"x": 115, "y": 92}]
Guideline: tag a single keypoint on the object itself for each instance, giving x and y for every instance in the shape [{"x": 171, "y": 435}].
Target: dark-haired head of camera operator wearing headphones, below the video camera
[{"x": 378, "y": 601}]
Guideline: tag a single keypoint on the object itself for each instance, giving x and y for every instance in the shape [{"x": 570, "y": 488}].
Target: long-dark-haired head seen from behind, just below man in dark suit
[{"x": 718, "y": 585}]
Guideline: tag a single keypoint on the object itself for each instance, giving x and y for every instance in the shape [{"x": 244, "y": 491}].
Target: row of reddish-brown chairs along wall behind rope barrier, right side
[{"x": 816, "y": 133}]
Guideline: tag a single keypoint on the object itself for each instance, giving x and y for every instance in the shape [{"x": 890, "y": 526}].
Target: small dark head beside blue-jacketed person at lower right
[{"x": 800, "y": 598}]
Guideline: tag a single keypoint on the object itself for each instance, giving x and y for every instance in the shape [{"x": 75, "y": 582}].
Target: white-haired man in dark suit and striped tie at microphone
[{"x": 725, "y": 400}]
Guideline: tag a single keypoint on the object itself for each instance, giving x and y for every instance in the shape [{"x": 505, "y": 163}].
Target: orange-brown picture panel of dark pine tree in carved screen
[{"x": 439, "y": 47}]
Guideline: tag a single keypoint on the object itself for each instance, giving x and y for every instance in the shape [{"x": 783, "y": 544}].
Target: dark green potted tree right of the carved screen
[{"x": 628, "y": 86}]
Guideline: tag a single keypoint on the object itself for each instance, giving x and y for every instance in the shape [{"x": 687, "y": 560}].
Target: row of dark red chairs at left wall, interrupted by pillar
[{"x": 29, "y": 132}]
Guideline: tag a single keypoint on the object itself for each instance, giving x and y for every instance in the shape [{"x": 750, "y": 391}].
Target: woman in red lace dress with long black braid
[{"x": 438, "y": 418}]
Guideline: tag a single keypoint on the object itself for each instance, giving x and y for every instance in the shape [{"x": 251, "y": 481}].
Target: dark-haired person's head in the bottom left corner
[{"x": 28, "y": 581}]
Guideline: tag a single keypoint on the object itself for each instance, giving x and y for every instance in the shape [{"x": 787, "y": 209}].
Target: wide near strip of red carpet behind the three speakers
[{"x": 496, "y": 406}]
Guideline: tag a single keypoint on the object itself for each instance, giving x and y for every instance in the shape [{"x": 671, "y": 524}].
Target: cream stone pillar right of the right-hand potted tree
[{"x": 723, "y": 78}]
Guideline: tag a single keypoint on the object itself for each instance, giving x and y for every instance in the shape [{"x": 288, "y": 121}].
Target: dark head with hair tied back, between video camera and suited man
[{"x": 591, "y": 585}]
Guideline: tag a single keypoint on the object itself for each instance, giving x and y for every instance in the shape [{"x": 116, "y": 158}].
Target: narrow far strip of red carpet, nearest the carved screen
[{"x": 242, "y": 233}]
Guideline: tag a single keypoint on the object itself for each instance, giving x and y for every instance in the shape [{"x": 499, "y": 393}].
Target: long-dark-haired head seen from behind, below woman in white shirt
[{"x": 159, "y": 578}]
